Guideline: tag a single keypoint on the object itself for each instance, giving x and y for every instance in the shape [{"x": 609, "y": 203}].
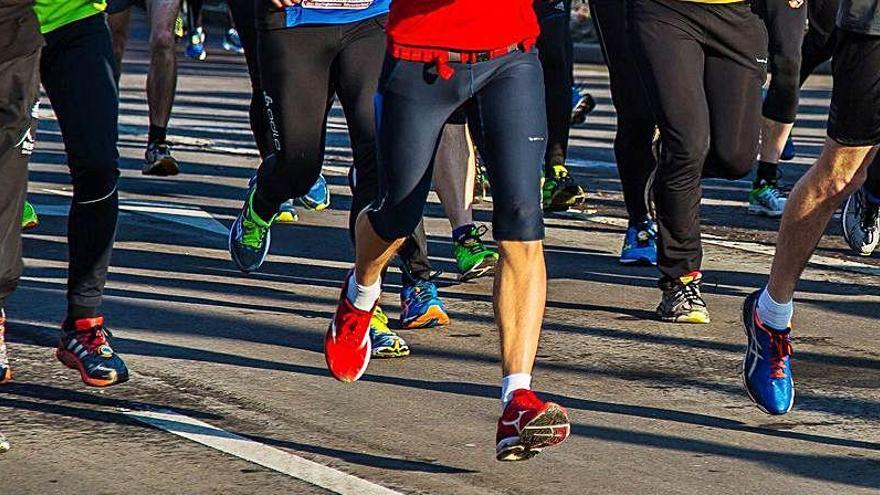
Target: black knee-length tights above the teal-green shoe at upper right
[{"x": 785, "y": 27}]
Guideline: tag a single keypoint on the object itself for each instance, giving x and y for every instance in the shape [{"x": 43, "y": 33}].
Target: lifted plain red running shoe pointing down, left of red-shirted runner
[{"x": 347, "y": 344}]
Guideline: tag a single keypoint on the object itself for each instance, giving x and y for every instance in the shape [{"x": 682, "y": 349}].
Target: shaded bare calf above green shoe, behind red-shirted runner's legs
[{"x": 454, "y": 174}]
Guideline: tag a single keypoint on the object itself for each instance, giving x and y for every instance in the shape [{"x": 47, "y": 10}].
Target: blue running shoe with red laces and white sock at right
[{"x": 766, "y": 370}]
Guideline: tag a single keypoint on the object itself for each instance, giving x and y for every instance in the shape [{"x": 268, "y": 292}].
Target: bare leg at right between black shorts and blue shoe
[{"x": 838, "y": 172}]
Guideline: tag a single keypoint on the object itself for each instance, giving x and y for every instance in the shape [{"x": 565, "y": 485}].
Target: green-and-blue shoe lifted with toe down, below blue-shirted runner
[{"x": 250, "y": 236}]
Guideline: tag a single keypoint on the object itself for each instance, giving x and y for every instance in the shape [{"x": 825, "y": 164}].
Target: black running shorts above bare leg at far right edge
[{"x": 854, "y": 119}]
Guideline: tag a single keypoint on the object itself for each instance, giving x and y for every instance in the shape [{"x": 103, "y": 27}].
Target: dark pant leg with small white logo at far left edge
[{"x": 19, "y": 90}]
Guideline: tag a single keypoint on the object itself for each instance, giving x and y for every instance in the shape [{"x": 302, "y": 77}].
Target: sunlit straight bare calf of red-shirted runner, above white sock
[{"x": 520, "y": 295}]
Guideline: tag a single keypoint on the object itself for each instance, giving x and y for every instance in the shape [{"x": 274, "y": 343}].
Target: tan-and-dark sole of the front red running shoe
[{"x": 539, "y": 434}]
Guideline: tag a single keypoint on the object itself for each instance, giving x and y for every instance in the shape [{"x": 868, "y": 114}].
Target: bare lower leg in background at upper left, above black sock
[{"x": 162, "y": 78}]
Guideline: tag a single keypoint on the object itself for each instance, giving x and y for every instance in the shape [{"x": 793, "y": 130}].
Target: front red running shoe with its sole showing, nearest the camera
[{"x": 528, "y": 426}]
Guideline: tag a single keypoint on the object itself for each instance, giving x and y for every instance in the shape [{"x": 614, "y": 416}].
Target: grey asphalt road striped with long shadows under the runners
[{"x": 656, "y": 408}]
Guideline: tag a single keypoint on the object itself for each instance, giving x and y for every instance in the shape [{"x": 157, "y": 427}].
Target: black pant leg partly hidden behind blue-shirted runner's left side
[{"x": 245, "y": 23}]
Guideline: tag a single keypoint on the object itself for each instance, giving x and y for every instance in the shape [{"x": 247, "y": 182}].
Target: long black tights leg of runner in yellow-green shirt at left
[{"x": 77, "y": 71}]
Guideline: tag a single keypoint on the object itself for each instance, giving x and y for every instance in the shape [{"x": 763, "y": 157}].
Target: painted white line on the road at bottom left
[{"x": 258, "y": 453}]
